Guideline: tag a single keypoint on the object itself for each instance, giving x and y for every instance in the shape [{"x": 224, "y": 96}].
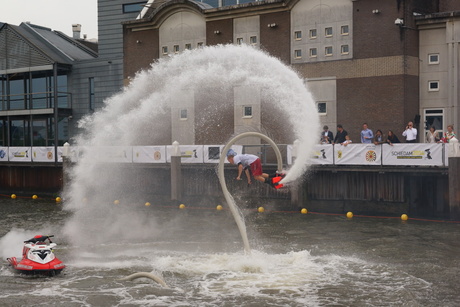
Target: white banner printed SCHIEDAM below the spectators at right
[{"x": 413, "y": 154}]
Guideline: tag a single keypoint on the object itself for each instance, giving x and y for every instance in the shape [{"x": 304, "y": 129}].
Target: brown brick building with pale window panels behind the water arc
[{"x": 360, "y": 58}]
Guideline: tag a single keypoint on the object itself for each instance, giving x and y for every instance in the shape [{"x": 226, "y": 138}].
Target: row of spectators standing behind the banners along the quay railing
[{"x": 368, "y": 137}]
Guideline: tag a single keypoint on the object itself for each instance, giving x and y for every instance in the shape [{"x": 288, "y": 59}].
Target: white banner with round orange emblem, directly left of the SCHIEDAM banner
[{"x": 358, "y": 154}]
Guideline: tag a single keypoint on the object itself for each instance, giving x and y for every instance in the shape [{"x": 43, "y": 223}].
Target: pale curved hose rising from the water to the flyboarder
[{"x": 239, "y": 219}]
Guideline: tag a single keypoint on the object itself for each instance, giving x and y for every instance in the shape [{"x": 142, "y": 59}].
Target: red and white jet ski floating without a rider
[{"x": 38, "y": 258}]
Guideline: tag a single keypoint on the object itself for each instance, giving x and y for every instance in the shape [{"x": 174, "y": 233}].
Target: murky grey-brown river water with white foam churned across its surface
[{"x": 296, "y": 260}]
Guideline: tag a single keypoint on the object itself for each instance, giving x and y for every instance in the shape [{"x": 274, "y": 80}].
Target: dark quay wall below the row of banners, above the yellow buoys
[{"x": 389, "y": 191}]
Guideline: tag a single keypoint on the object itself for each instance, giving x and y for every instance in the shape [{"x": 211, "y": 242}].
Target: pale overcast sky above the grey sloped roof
[{"x": 55, "y": 14}]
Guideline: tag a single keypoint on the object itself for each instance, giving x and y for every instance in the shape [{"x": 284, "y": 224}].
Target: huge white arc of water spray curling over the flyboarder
[{"x": 140, "y": 115}]
